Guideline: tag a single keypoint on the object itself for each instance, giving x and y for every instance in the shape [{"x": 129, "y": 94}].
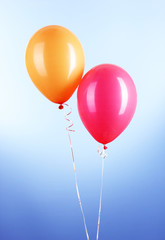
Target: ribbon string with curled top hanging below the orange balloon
[{"x": 74, "y": 167}]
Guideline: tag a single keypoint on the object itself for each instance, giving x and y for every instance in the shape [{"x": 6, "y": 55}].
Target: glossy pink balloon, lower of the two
[{"x": 106, "y": 101}]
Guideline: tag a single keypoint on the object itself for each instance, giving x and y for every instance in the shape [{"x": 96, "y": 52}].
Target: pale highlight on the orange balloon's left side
[{"x": 39, "y": 59}]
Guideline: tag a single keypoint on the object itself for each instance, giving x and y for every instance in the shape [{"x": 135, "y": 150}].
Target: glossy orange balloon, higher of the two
[{"x": 55, "y": 62}]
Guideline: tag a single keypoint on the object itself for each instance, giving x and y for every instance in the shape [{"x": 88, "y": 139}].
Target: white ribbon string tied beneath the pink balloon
[{"x": 103, "y": 156}]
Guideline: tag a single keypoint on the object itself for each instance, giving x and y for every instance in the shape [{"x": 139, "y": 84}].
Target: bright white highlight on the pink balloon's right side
[{"x": 124, "y": 94}]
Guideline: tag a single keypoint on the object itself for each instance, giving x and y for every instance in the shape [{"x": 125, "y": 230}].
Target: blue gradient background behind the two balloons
[{"x": 37, "y": 190}]
